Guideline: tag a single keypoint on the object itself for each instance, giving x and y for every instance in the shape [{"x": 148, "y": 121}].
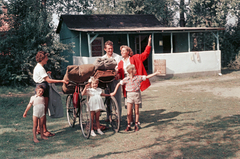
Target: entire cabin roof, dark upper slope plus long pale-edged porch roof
[{"x": 120, "y": 23}]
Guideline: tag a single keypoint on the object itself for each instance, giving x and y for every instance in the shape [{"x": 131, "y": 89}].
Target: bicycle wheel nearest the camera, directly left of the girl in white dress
[{"x": 85, "y": 119}]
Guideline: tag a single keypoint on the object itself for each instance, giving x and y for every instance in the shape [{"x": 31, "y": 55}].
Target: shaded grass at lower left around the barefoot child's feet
[{"x": 16, "y": 139}]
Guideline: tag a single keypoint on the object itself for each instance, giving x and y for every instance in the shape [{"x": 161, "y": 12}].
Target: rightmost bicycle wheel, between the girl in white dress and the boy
[{"x": 114, "y": 115}]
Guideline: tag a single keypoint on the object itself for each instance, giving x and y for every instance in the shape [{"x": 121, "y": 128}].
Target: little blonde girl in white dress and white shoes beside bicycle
[{"x": 95, "y": 102}]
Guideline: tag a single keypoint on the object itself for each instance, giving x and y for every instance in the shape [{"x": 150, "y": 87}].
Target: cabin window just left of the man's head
[{"x": 97, "y": 47}]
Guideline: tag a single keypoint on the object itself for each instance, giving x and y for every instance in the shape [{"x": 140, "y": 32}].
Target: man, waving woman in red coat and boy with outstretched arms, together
[{"x": 133, "y": 76}]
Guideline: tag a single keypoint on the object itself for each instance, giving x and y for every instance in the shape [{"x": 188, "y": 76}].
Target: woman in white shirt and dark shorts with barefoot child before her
[{"x": 41, "y": 97}]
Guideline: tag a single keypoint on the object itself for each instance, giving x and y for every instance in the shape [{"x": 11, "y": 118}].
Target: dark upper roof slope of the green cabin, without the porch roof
[{"x": 106, "y": 21}]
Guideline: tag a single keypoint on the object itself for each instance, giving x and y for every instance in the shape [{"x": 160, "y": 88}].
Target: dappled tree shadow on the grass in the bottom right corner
[{"x": 215, "y": 138}]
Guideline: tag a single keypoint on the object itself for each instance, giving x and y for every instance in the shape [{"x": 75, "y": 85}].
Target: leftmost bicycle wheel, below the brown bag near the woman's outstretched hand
[{"x": 71, "y": 111}]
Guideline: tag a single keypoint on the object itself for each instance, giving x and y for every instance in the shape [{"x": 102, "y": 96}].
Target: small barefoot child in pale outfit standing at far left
[{"x": 38, "y": 103}]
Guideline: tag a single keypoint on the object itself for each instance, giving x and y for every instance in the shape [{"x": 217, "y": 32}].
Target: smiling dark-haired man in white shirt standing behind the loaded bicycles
[{"x": 108, "y": 48}]
